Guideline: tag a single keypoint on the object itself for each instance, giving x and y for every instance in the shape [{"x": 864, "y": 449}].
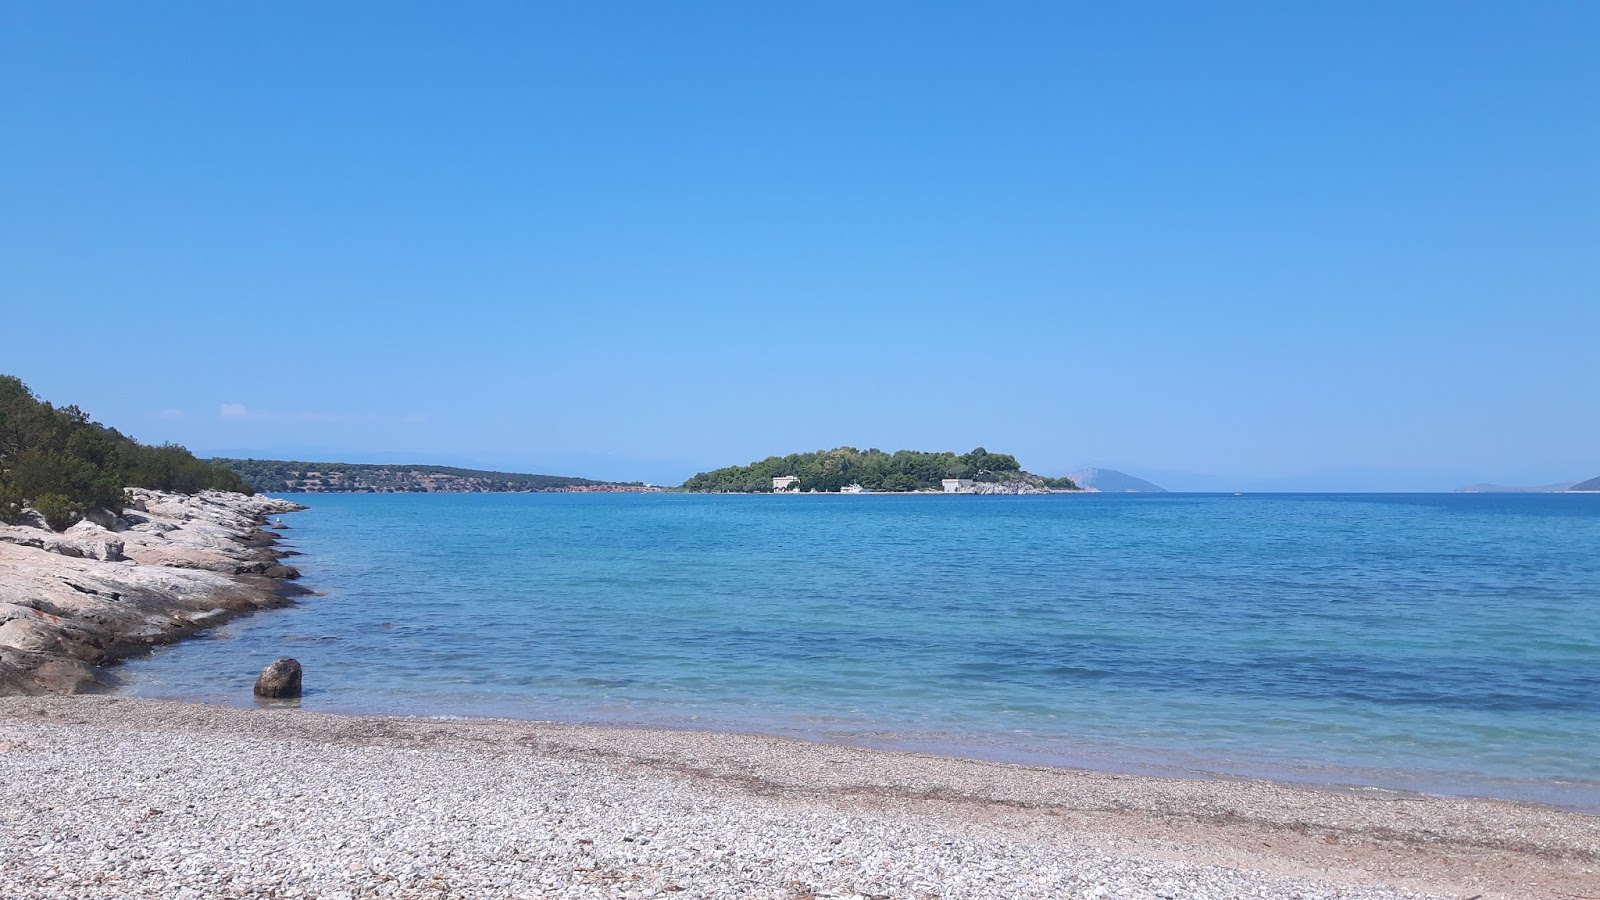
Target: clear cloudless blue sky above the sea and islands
[{"x": 1342, "y": 246}]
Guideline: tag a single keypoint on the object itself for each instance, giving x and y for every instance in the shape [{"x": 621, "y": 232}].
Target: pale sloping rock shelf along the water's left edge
[{"x": 116, "y": 587}]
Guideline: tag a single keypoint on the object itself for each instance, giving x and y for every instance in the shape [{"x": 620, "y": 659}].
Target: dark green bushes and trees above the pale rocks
[{"x": 63, "y": 465}]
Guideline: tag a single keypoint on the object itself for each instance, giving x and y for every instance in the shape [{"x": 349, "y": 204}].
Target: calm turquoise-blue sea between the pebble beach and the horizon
[{"x": 1441, "y": 643}]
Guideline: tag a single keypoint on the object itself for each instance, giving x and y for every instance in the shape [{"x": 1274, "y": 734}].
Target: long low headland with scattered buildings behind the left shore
[{"x": 292, "y": 476}]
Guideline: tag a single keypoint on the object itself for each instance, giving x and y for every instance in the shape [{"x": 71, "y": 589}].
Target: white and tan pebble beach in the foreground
[{"x": 138, "y": 798}]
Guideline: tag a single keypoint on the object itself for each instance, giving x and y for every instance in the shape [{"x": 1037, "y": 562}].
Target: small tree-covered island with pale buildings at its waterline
[{"x": 846, "y": 470}]
